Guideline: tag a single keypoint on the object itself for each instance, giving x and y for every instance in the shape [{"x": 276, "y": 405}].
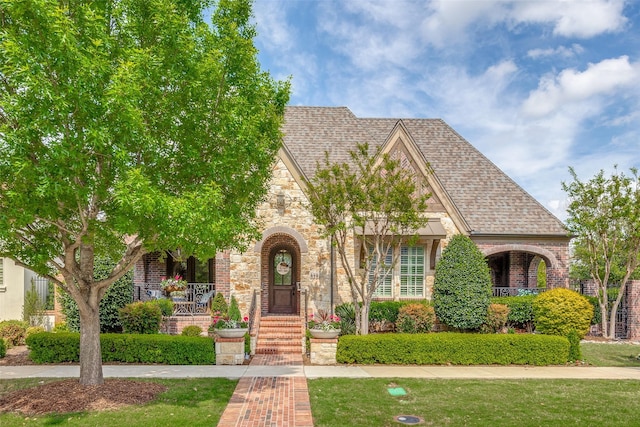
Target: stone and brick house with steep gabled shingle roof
[{"x": 289, "y": 270}]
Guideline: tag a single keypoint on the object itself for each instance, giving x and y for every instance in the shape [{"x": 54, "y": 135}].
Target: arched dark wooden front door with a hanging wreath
[{"x": 283, "y": 292}]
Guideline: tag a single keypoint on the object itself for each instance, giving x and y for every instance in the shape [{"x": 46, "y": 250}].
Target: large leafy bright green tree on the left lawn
[{"x": 128, "y": 126}]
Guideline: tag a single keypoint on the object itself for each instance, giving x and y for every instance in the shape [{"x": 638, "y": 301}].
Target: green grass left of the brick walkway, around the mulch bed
[{"x": 193, "y": 402}]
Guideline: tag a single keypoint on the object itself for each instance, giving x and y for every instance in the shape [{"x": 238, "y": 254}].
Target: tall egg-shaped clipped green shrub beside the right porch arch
[{"x": 462, "y": 287}]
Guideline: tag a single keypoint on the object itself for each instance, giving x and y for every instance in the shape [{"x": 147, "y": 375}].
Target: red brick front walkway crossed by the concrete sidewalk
[{"x": 270, "y": 401}]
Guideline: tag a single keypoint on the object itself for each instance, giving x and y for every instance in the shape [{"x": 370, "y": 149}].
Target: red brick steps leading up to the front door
[{"x": 280, "y": 335}]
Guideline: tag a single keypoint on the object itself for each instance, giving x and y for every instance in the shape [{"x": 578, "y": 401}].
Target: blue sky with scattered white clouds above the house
[{"x": 536, "y": 86}]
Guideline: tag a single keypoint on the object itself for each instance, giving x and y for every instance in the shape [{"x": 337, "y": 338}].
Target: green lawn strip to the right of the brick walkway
[{"x": 367, "y": 402}]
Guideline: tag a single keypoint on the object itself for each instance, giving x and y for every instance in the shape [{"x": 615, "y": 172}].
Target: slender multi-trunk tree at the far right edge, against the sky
[{"x": 604, "y": 217}]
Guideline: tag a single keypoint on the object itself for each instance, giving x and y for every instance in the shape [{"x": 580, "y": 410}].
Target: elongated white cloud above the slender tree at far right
[{"x": 572, "y": 86}]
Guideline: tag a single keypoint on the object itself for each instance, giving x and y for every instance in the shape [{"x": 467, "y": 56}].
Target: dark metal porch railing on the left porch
[{"x": 196, "y": 300}]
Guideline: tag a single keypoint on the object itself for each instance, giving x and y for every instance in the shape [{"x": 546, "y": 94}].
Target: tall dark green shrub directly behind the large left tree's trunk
[{"x": 119, "y": 294}]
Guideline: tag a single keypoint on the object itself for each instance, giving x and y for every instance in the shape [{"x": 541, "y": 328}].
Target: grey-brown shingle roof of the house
[{"x": 489, "y": 201}]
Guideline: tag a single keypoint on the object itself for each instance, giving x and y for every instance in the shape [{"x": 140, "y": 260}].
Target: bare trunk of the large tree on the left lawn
[{"x": 90, "y": 351}]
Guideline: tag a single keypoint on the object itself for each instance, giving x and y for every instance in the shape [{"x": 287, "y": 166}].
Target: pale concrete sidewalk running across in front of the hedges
[{"x": 377, "y": 371}]
